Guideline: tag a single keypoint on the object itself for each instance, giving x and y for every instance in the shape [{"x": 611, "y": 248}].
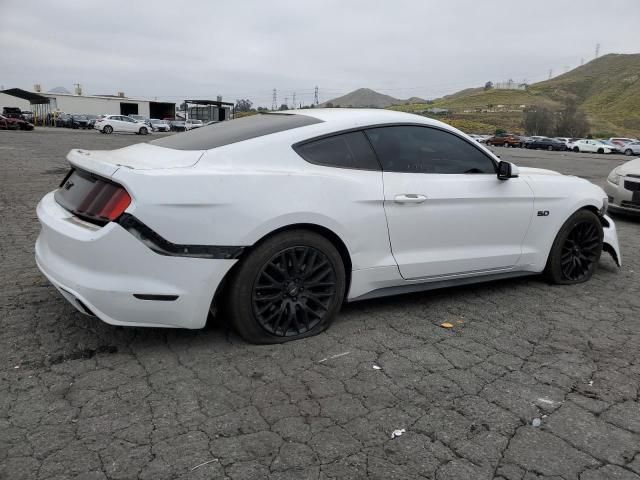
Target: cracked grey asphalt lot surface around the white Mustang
[{"x": 82, "y": 399}]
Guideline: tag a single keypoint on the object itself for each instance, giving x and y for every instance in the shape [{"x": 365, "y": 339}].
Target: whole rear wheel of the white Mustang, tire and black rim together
[{"x": 285, "y": 290}]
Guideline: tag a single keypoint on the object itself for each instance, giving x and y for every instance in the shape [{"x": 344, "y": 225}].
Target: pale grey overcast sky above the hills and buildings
[{"x": 244, "y": 49}]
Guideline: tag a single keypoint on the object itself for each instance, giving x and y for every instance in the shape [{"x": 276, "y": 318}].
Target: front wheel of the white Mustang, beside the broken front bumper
[{"x": 576, "y": 250}]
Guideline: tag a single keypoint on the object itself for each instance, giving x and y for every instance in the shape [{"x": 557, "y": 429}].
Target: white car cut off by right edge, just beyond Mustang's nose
[{"x": 623, "y": 187}]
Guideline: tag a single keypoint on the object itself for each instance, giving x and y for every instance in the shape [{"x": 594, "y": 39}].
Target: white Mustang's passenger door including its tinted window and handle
[{"x": 447, "y": 212}]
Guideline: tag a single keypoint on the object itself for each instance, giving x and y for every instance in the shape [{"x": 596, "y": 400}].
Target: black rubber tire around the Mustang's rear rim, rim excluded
[{"x": 240, "y": 288}]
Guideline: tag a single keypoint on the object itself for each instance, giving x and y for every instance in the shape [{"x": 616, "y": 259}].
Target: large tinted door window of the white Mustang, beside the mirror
[{"x": 414, "y": 149}]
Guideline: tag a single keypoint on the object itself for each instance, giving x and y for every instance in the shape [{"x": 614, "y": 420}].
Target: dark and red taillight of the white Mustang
[{"x": 93, "y": 198}]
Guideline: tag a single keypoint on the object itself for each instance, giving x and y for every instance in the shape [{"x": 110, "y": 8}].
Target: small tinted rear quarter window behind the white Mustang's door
[{"x": 347, "y": 150}]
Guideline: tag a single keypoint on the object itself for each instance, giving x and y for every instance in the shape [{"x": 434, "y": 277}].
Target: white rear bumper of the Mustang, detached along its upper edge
[{"x": 101, "y": 269}]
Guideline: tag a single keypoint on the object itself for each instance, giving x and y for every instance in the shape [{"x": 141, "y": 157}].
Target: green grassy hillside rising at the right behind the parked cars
[{"x": 607, "y": 89}]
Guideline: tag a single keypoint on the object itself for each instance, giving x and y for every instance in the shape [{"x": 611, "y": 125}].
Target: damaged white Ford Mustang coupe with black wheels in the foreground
[{"x": 281, "y": 217}]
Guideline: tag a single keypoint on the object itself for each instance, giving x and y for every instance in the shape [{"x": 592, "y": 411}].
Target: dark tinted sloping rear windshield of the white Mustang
[{"x": 232, "y": 131}]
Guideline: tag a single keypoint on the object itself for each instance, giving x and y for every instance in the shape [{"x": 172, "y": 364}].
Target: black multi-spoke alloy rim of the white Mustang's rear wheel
[{"x": 293, "y": 291}]
